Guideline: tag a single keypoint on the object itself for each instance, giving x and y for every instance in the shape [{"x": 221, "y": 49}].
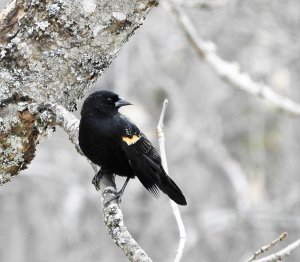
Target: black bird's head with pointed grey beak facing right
[{"x": 103, "y": 102}]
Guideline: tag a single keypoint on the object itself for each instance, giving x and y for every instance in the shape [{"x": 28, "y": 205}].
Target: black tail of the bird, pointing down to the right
[{"x": 169, "y": 187}]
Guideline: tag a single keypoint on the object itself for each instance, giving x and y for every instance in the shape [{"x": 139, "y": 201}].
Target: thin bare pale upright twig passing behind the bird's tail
[{"x": 176, "y": 212}]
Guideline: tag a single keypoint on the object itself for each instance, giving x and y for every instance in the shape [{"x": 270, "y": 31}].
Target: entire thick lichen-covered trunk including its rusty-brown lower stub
[{"x": 52, "y": 51}]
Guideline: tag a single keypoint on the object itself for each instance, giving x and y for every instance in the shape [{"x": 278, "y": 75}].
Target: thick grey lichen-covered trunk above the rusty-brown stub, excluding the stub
[{"x": 51, "y": 50}]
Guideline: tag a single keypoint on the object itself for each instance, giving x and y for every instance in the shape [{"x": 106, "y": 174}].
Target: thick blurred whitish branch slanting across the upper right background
[{"x": 229, "y": 72}]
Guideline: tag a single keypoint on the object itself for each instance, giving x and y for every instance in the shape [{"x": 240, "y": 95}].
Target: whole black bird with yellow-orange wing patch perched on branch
[{"x": 113, "y": 142}]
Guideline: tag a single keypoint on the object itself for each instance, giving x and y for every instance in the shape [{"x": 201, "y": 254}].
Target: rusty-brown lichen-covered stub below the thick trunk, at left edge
[{"x": 22, "y": 123}]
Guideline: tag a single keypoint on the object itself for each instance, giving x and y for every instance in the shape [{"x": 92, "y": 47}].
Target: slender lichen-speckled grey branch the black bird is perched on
[{"x": 113, "y": 217}]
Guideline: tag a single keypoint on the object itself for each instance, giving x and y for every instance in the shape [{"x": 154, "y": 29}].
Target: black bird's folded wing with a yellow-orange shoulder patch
[{"x": 143, "y": 158}]
